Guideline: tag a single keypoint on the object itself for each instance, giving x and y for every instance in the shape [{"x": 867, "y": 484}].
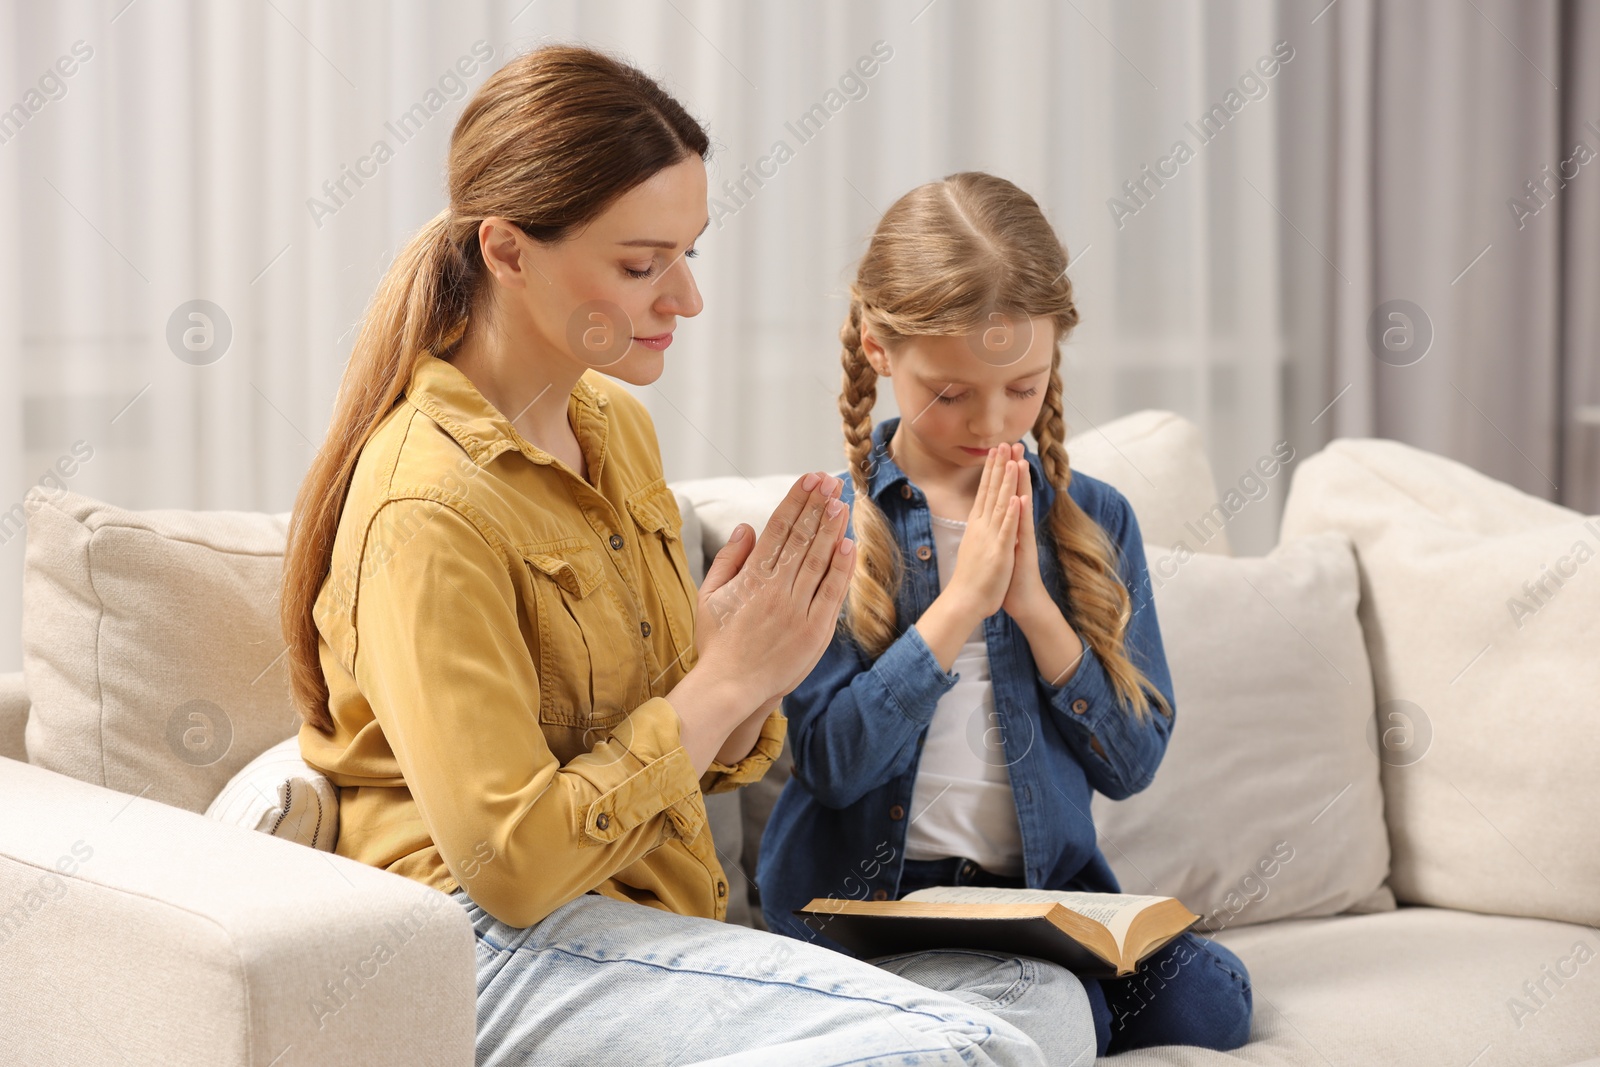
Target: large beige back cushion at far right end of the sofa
[{"x": 1481, "y": 609}]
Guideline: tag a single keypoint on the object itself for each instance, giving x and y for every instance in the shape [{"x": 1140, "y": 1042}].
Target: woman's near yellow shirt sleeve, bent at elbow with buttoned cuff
[{"x": 454, "y": 685}]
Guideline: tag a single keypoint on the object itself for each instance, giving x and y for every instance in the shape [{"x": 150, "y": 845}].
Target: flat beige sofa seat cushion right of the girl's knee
[{"x": 1420, "y": 986}]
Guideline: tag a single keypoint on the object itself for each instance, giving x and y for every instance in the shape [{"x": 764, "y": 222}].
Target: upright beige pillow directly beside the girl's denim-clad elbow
[{"x": 1268, "y": 802}]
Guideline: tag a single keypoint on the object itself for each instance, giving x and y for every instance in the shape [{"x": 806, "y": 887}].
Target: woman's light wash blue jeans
[{"x": 601, "y": 981}]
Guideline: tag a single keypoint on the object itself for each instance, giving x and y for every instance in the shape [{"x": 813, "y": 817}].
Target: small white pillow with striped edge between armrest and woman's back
[{"x": 281, "y": 794}]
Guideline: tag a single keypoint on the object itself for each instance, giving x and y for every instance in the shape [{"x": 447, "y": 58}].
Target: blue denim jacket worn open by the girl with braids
[{"x": 857, "y": 725}]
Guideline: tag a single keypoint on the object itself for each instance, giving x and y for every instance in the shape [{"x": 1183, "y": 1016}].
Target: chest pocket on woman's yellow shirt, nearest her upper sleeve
[{"x": 586, "y": 649}]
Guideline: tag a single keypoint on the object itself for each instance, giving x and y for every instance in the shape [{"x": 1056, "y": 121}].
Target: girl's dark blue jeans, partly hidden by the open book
[{"x": 1191, "y": 991}]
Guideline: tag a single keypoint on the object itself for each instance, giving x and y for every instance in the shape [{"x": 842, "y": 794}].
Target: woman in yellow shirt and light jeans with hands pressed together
[{"x": 498, "y": 650}]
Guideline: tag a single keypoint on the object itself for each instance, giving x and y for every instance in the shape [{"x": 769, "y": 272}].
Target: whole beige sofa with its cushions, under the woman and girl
[{"x": 1366, "y": 717}]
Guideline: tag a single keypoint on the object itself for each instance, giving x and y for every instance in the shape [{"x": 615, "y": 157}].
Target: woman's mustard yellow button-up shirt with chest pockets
[{"x": 497, "y": 636}]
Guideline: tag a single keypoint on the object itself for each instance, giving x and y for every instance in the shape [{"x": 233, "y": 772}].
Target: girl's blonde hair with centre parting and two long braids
[{"x": 946, "y": 258}]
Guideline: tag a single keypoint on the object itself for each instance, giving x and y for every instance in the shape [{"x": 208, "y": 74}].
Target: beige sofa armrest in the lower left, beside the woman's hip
[{"x": 135, "y": 932}]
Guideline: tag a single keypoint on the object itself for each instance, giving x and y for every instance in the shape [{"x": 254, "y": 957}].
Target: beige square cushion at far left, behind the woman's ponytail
[{"x": 151, "y": 645}]
